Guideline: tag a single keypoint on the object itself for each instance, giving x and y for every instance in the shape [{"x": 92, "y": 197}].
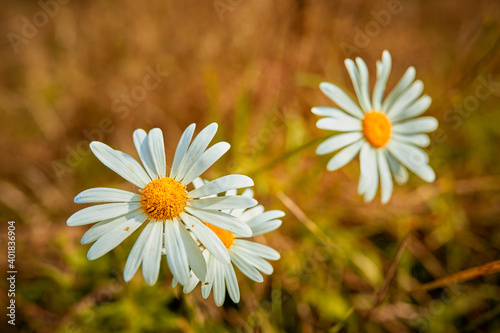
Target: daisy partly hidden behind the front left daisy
[{"x": 248, "y": 256}]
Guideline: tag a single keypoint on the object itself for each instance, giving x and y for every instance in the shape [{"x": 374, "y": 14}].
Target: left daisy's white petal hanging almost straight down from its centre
[{"x": 152, "y": 254}]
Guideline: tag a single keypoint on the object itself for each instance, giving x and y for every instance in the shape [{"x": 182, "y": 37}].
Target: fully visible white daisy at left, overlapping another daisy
[{"x": 165, "y": 203}]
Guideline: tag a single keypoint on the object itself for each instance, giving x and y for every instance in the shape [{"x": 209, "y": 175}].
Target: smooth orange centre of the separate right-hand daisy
[{"x": 377, "y": 128}]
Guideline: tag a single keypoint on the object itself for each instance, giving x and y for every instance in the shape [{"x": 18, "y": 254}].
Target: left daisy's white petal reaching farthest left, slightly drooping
[{"x": 101, "y": 212}]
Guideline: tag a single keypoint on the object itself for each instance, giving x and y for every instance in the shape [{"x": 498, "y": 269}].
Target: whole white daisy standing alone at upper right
[{"x": 383, "y": 131}]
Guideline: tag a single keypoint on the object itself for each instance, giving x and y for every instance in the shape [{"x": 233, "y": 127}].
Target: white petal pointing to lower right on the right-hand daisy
[{"x": 413, "y": 158}]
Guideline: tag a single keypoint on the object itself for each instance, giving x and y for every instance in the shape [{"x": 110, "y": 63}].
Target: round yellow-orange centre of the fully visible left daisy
[{"x": 164, "y": 199}]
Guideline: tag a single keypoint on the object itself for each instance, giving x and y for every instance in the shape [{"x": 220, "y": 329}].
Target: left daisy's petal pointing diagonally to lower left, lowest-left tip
[{"x": 111, "y": 239}]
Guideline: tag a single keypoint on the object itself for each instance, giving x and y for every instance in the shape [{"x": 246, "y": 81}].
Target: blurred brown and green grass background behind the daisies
[{"x": 254, "y": 67}]
